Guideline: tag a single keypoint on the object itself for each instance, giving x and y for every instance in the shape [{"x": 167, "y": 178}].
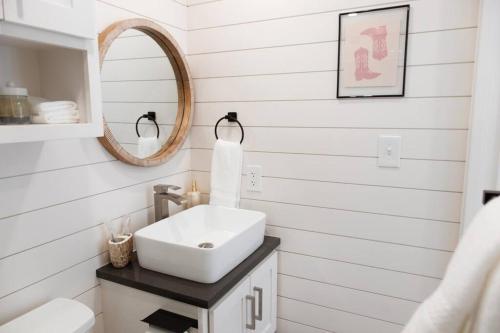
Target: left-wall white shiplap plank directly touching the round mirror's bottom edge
[{"x": 27, "y": 193}]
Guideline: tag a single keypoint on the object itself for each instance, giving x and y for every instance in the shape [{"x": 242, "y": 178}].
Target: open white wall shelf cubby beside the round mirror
[{"x": 55, "y": 66}]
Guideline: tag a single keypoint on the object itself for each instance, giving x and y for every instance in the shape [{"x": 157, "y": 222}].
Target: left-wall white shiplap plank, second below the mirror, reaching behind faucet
[{"x": 25, "y": 231}]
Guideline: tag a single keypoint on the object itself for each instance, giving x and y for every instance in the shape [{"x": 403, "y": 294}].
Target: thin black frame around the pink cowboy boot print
[{"x": 339, "y": 52}]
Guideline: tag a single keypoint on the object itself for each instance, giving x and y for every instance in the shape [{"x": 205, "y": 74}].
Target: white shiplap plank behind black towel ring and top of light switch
[{"x": 416, "y": 144}]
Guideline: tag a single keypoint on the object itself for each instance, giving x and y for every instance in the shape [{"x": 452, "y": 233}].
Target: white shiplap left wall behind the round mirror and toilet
[{"x": 54, "y": 197}]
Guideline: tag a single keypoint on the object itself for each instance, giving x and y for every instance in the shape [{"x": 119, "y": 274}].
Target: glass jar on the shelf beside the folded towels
[{"x": 14, "y": 105}]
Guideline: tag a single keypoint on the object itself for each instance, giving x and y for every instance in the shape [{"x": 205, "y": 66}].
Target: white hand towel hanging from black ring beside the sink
[{"x": 227, "y": 160}]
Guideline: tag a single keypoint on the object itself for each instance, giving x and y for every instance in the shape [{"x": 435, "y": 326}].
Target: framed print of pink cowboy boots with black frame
[{"x": 372, "y": 47}]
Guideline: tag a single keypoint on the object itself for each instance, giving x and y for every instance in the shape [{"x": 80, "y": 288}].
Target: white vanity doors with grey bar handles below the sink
[{"x": 251, "y": 306}]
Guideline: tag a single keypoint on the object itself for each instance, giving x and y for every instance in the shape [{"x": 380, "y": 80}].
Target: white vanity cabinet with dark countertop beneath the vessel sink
[{"x": 250, "y": 306}]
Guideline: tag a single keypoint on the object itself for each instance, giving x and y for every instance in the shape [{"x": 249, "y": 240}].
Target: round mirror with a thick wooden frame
[{"x": 146, "y": 92}]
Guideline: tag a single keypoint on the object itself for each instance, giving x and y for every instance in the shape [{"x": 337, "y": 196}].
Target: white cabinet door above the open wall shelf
[{"x": 72, "y": 17}]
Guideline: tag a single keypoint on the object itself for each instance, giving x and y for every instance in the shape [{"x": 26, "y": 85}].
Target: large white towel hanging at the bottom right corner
[{"x": 455, "y": 300}]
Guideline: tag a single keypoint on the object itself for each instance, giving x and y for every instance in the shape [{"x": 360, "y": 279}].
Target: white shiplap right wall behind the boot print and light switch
[{"x": 362, "y": 246}]
